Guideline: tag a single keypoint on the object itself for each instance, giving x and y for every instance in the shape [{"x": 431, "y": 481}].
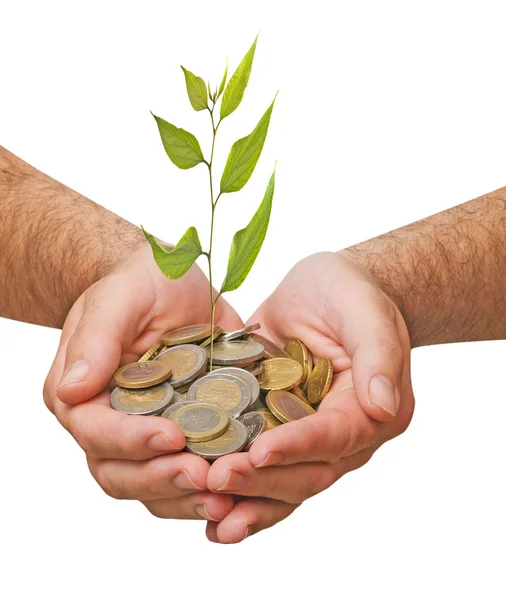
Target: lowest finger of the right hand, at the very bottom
[{"x": 247, "y": 518}]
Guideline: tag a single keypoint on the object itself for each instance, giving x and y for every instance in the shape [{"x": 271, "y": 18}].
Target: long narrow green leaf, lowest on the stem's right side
[{"x": 247, "y": 243}]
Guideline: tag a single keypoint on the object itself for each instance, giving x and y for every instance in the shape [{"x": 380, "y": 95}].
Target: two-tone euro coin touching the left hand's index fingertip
[{"x": 200, "y": 422}]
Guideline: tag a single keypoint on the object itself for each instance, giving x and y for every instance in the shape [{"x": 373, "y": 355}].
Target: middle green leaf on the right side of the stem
[{"x": 244, "y": 156}]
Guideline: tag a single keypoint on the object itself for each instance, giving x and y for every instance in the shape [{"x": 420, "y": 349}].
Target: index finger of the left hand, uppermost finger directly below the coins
[{"x": 103, "y": 432}]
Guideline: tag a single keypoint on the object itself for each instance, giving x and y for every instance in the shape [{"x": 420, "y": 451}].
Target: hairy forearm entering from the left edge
[{"x": 54, "y": 243}]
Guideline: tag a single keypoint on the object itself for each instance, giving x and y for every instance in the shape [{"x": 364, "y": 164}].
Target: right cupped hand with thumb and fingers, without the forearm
[{"x": 332, "y": 306}]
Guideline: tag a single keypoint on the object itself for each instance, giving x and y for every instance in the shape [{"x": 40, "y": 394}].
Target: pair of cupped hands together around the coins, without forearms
[{"x": 325, "y": 301}]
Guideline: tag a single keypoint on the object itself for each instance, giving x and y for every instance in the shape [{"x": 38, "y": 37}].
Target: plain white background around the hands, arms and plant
[{"x": 387, "y": 112}]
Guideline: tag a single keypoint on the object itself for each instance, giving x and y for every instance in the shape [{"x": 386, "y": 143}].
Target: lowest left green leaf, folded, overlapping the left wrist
[{"x": 175, "y": 261}]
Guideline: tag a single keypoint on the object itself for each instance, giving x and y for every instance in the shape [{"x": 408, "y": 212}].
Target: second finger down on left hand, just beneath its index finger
[{"x": 164, "y": 477}]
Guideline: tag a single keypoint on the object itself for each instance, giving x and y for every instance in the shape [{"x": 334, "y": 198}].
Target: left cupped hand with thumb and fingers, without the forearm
[{"x": 114, "y": 322}]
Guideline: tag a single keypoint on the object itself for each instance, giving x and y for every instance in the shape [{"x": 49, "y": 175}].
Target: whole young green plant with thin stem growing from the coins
[{"x": 183, "y": 149}]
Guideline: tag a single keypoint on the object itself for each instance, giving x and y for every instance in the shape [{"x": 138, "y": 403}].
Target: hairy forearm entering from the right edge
[{"x": 447, "y": 273}]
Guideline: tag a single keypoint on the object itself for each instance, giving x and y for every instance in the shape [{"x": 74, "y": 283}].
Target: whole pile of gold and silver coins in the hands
[{"x": 254, "y": 386}]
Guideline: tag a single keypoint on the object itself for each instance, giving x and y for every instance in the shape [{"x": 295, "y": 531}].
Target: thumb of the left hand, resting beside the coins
[{"x": 113, "y": 313}]
